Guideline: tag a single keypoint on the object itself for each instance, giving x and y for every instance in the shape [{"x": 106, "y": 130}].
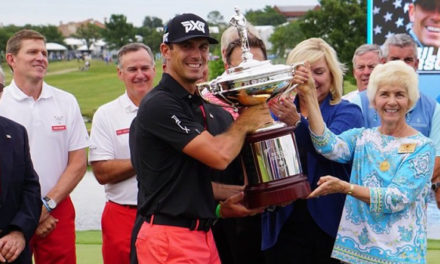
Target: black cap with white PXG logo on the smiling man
[{"x": 187, "y": 26}]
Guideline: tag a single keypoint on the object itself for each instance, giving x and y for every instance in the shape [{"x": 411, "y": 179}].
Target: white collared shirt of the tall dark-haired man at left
[{"x": 54, "y": 124}]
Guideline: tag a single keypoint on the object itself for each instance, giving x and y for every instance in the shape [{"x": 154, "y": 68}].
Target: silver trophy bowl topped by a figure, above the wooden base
[{"x": 252, "y": 82}]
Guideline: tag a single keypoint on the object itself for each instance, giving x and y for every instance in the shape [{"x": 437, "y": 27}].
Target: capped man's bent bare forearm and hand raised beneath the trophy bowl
[{"x": 218, "y": 151}]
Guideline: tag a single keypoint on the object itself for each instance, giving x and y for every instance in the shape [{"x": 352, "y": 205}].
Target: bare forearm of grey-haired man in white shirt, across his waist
[{"x": 112, "y": 171}]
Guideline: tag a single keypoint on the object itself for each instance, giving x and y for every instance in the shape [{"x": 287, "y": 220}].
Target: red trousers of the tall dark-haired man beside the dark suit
[{"x": 59, "y": 246}]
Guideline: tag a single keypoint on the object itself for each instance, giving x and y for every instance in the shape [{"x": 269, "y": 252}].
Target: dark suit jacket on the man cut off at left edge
[{"x": 20, "y": 195}]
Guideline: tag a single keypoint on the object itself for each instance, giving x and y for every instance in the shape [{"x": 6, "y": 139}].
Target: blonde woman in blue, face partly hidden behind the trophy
[{"x": 306, "y": 230}]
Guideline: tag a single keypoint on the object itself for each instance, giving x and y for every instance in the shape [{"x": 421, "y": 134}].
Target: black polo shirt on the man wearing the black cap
[{"x": 171, "y": 182}]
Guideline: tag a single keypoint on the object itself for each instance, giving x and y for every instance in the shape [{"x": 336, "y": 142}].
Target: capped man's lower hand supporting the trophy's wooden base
[{"x": 233, "y": 207}]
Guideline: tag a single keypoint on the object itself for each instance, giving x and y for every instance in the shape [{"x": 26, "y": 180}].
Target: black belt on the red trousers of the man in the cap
[{"x": 192, "y": 224}]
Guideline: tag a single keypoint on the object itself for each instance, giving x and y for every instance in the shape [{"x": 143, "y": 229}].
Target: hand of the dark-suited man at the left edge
[{"x": 11, "y": 246}]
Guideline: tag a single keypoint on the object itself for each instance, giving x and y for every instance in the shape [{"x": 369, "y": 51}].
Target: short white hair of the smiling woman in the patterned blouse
[{"x": 394, "y": 73}]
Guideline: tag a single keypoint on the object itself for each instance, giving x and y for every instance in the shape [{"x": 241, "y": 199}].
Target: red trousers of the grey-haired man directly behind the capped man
[{"x": 117, "y": 223}]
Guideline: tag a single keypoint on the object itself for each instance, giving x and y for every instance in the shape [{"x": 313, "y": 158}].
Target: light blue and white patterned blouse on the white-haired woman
[{"x": 392, "y": 228}]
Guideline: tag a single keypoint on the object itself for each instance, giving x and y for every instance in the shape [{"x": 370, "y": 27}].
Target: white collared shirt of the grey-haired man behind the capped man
[{"x": 109, "y": 140}]
